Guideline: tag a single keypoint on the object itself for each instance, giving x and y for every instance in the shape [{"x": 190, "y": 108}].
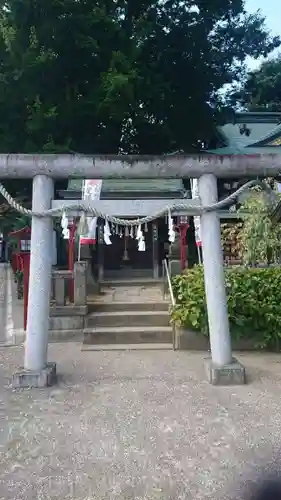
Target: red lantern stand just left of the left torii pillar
[{"x": 21, "y": 262}]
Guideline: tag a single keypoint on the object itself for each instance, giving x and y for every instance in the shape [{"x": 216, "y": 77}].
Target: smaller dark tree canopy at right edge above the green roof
[{"x": 262, "y": 89}]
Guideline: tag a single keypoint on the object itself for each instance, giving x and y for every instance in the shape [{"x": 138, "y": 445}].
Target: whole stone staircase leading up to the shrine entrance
[{"x": 128, "y": 315}]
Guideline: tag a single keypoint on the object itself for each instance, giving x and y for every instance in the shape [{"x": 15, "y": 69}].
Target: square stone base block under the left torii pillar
[{"x": 33, "y": 379}]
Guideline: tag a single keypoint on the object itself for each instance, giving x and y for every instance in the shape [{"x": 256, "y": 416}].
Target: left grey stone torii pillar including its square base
[{"x": 37, "y": 372}]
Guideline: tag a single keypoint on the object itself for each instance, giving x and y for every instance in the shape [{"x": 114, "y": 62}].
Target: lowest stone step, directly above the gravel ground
[{"x": 128, "y": 335}]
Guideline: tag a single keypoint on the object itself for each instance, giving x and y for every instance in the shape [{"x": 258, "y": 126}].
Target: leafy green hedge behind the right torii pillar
[{"x": 254, "y": 303}]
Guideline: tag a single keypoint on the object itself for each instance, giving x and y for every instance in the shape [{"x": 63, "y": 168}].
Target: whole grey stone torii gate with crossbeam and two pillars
[{"x": 43, "y": 169}]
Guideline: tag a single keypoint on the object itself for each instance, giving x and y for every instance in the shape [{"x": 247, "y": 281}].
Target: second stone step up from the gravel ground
[{"x": 128, "y": 318}]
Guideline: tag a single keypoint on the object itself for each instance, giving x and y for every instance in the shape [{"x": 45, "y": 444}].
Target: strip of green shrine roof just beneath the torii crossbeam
[{"x": 131, "y": 185}]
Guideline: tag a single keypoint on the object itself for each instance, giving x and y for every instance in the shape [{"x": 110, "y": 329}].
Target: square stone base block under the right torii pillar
[{"x": 232, "y": 374}]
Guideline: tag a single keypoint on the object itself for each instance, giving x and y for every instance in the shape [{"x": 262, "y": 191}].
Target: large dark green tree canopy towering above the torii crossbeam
[{"x": 108, "y": 76}]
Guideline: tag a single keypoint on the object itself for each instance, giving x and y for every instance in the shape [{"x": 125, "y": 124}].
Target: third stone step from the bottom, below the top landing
[{"x": 96, "y": 306}]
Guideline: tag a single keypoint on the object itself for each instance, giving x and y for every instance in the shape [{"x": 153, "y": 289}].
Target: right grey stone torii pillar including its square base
[{"x": 221, "y": 369}]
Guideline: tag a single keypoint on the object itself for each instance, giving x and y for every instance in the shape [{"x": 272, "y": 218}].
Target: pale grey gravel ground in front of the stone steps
[{"x": 137, "y": 425}]
